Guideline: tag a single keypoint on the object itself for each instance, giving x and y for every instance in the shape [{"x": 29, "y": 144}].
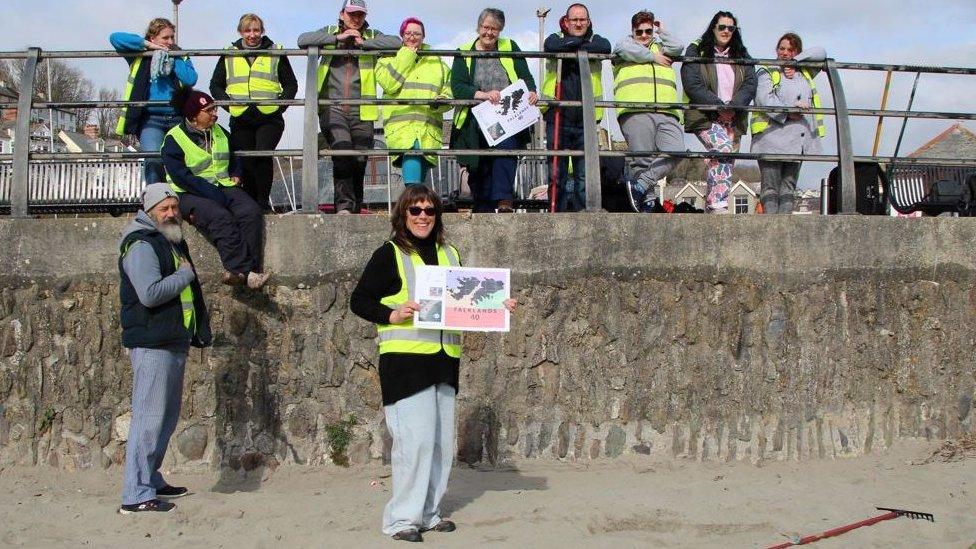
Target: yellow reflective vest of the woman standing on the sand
[{"x": 404, "y": 338}]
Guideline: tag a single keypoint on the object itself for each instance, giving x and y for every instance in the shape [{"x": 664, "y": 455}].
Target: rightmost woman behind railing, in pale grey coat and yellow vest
[{"x": 786, "y": 133}]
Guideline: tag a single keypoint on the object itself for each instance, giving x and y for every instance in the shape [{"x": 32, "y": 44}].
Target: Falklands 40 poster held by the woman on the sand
[{"x": 462, "y": 298}]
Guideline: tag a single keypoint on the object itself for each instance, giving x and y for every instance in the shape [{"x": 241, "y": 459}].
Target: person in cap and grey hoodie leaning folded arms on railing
[{"x": 348, "y": 77}]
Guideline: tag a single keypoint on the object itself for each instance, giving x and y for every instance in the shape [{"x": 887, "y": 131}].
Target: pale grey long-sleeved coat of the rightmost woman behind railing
[{"x": 786, "y": 136}]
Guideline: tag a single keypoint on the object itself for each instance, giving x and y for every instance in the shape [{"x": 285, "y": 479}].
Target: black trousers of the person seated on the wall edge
[{"x": 237, "y": 230}]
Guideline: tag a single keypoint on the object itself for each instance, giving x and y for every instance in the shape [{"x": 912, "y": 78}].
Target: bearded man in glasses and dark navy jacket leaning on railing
[{"x": 576, "y": 34}]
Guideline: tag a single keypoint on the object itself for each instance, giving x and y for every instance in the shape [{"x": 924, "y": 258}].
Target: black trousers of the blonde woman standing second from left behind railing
[{"x": 257, "y": 172}]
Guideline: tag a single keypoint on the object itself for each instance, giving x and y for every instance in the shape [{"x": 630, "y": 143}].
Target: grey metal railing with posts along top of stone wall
[{"x": 21, "y": 195}]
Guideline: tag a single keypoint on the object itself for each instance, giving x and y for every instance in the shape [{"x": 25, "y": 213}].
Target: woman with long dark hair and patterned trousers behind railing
[{"x": 718, "y": 84}]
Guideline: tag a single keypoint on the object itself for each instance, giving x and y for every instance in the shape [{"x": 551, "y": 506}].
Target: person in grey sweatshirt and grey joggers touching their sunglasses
[{"x": 642, "y": 72}]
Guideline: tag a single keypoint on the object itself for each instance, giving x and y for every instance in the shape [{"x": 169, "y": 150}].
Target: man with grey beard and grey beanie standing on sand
[{"x": 162, "y": 315}]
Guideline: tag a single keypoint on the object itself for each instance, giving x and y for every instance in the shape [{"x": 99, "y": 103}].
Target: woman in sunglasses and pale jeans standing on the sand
[{"x": 418, "y": 368}]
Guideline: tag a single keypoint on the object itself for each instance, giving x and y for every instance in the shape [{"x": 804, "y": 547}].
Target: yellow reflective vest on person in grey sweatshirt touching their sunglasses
[{"x": 645, "y": 83}]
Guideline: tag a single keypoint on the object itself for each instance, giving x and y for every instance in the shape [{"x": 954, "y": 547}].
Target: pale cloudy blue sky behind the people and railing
[{"x": 907, "y": 32}]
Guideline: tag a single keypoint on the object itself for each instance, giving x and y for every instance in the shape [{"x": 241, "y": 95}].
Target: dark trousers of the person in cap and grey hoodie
[{"x": 344, "y": 130}]
